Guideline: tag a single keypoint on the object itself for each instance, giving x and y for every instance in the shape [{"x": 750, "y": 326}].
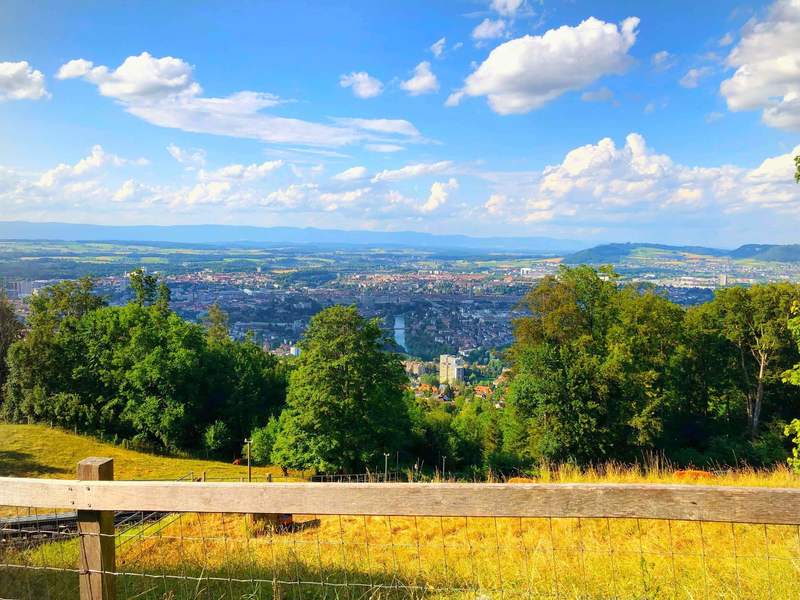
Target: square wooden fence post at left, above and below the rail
[{"x": 96, "y": 537}]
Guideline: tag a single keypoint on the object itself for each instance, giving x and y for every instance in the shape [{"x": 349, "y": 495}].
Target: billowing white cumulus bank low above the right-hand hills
[{"x": 606, "y": 184}]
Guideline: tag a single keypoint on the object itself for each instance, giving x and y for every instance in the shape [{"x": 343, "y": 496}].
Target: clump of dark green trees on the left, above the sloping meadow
[{"x": 136, "y": 371}]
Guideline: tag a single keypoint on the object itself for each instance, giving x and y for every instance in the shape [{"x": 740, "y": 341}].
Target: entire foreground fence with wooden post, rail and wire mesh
[{"x": 190, "y": 539}]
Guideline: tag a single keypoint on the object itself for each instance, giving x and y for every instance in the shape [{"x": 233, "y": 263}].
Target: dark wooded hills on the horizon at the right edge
[{"x": 614, "y": 253}]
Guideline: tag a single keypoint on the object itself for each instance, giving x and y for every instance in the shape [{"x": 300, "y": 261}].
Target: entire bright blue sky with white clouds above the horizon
[{"x": 614, "y": 121}]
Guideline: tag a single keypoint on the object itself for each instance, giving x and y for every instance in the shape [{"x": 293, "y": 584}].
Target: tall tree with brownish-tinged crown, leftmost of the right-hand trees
[{"x": 561, "y": 393}]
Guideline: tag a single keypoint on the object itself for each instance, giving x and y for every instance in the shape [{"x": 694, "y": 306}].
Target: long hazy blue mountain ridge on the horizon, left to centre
[{"x": 261, "y": 236}]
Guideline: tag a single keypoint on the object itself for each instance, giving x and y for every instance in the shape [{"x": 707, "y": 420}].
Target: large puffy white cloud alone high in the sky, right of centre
[{"x": 525, "y": 73}]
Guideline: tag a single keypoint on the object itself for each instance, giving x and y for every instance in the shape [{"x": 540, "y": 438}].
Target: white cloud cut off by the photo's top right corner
[{"x": 767, "y": 63}]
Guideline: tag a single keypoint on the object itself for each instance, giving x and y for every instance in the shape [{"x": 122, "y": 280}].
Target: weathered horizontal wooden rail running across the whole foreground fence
[{"x": 645, "y": 501}]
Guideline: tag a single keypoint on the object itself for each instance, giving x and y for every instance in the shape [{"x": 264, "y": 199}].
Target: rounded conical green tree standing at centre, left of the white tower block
[{"x": 345, "y": 401}]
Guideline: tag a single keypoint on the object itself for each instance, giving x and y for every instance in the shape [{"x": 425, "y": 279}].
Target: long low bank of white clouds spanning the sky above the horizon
[{"x": 620, "y": 189}]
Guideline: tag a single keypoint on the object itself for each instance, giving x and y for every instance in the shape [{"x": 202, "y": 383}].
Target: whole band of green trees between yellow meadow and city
[{"x": 601, "y": 371}]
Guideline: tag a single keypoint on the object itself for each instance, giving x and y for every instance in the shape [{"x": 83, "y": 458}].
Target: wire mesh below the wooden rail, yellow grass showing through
[{"x": 223, "y": 555}]
